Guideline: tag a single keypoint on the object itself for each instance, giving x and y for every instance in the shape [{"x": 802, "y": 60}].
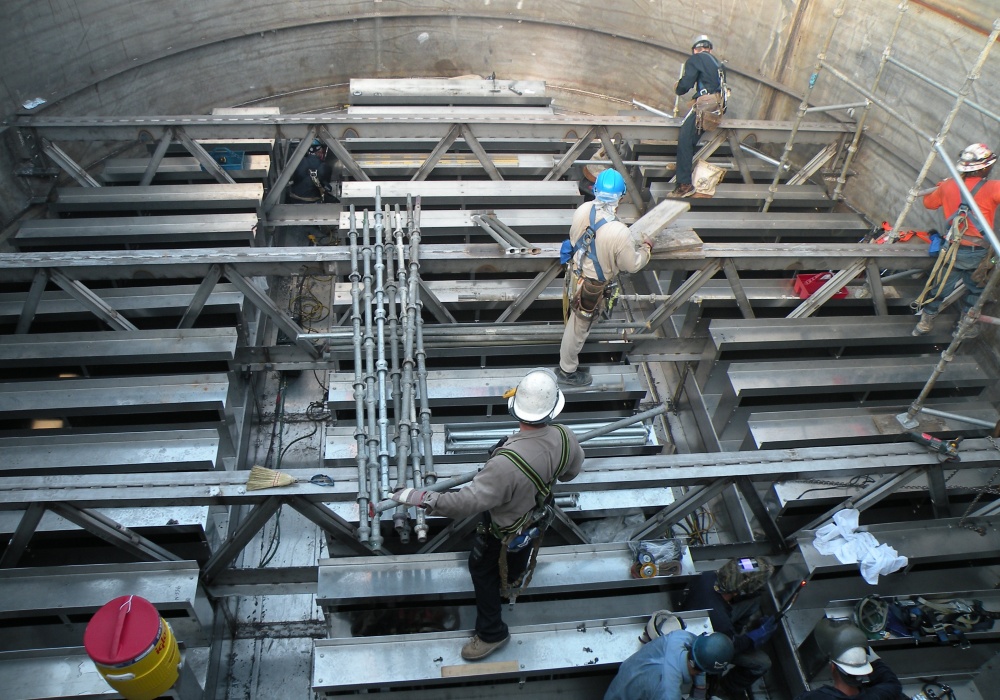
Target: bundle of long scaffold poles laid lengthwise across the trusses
[{"x": 391, "y": 319}]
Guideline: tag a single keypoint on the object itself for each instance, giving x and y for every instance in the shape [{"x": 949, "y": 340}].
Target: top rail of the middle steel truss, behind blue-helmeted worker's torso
[{"x": 442, "y": 259}]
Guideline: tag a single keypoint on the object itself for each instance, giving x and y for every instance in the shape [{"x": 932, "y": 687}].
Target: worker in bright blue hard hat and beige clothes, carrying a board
[{"x": 599, "y": 247}]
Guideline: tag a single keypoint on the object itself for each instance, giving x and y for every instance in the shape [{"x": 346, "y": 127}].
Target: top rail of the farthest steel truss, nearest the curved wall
[{"x": 296, "y": 126}]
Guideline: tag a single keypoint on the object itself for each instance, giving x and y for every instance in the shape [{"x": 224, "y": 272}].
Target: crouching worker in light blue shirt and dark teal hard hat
[{"x": 669, "y": 665}]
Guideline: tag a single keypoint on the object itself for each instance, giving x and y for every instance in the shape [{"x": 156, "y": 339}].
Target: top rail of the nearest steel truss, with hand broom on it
[{"x": 644, "y": 471}]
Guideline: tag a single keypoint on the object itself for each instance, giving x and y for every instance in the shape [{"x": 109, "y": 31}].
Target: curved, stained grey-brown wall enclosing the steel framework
[{"x": 129, "y": 57}]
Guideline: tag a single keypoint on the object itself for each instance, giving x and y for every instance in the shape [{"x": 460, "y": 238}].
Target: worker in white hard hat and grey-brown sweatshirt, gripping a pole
[{"x": 513, "y": 491}]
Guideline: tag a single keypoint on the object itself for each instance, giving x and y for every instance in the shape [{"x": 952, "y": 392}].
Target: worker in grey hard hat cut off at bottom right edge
[{"x": 856, "y": 670}]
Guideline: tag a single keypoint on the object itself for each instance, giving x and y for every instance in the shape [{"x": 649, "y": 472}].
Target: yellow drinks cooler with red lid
[{"x": 133, "y": 648}]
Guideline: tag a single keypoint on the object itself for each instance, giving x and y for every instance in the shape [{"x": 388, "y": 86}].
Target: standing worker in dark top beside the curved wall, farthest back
[{"x": 704, "y": 73}]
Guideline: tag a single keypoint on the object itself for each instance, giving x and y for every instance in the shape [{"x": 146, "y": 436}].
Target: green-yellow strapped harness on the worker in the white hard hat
[{"x": 540, "y": 516}]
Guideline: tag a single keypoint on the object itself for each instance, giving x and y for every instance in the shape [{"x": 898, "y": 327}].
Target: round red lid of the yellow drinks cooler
[{"x": 122, "y": 631}]
